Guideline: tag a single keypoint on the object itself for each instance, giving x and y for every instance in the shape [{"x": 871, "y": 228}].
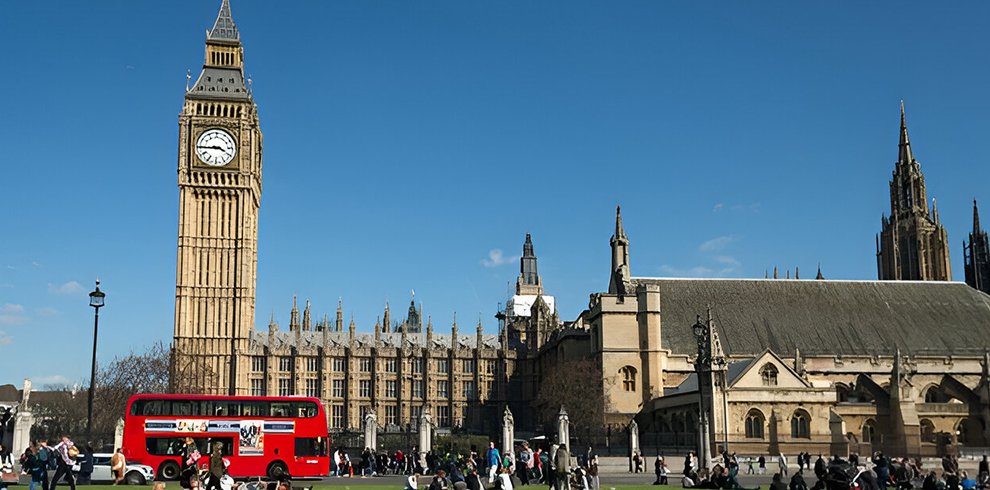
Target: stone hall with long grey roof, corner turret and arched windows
[{"x": 813, "y": 365}]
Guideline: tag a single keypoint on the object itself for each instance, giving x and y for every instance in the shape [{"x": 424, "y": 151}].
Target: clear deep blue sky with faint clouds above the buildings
[{"x": 408, "y": 143}]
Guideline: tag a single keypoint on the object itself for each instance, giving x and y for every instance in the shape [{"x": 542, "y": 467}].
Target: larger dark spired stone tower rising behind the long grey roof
[{"x": 912, "y": 244}]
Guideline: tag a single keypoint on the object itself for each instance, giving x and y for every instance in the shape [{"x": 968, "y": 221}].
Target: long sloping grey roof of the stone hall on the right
[{"x": 826, "y": 317}]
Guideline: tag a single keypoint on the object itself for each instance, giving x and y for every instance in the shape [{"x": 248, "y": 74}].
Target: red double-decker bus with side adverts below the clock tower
[{"x": 261, "y": 436}]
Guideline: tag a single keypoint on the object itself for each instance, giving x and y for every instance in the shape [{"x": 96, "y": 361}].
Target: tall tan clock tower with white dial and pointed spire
[{"x": 220, "y": 146}]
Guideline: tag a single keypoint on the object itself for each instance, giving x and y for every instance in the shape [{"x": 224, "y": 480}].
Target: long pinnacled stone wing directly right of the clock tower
[{"x": 459, "y": 378}]
